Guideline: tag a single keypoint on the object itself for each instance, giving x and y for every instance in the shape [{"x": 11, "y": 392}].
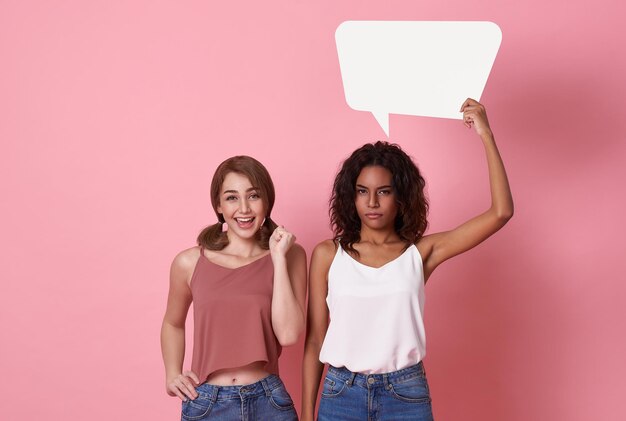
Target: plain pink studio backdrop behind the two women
[{"x": 114, "y": 114}]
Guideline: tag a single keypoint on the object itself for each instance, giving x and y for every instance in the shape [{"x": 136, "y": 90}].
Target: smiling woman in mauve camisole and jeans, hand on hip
[{"x": 248, "y": 286}]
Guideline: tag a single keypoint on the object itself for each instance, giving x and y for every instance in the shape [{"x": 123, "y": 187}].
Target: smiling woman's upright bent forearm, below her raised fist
[{"x": 287, "y": 314}]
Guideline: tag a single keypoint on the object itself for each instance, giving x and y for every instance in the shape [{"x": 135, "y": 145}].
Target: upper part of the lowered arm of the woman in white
[{"x": 317, "y": 323}]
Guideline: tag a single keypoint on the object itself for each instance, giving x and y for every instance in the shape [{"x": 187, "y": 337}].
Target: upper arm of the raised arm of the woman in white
[{"x": 437, "y": 248}]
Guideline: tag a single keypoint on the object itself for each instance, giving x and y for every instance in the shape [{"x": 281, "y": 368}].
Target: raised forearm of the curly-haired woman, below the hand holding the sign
[{"x": 501, "y": 198}]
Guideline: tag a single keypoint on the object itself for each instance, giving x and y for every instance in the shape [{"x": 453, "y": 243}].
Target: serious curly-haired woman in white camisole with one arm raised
[{"x": 369, "y": 280}]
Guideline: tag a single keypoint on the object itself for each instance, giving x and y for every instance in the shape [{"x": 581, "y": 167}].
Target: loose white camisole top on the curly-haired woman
[{"x": 376, "y": 314}]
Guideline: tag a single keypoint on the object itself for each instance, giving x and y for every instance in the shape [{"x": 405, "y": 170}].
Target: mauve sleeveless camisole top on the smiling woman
[{"x": 232, "y": 316}]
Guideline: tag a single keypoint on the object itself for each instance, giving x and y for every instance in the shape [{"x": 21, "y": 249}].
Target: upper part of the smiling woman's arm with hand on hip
[{"x": 179, "y": 296}]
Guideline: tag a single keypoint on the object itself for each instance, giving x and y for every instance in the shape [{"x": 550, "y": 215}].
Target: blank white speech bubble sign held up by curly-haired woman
[{"x": 417, "y": 68}]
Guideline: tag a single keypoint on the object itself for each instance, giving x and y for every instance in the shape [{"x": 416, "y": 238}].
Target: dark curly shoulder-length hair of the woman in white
[{"x": 407, "y": 182}]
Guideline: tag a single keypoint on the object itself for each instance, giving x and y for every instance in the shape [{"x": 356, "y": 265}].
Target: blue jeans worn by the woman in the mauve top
[{"x": 264, "y": 400}]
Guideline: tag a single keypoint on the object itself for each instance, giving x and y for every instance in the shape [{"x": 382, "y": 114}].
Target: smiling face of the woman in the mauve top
[{"x": 241, "y": 206}]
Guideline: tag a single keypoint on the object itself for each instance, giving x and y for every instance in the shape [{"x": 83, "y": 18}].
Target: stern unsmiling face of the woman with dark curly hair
[{"x": 375, "y": 198}]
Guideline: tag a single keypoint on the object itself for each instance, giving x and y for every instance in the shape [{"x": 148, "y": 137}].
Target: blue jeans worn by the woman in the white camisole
[{"x": 399, "y": 395}]
